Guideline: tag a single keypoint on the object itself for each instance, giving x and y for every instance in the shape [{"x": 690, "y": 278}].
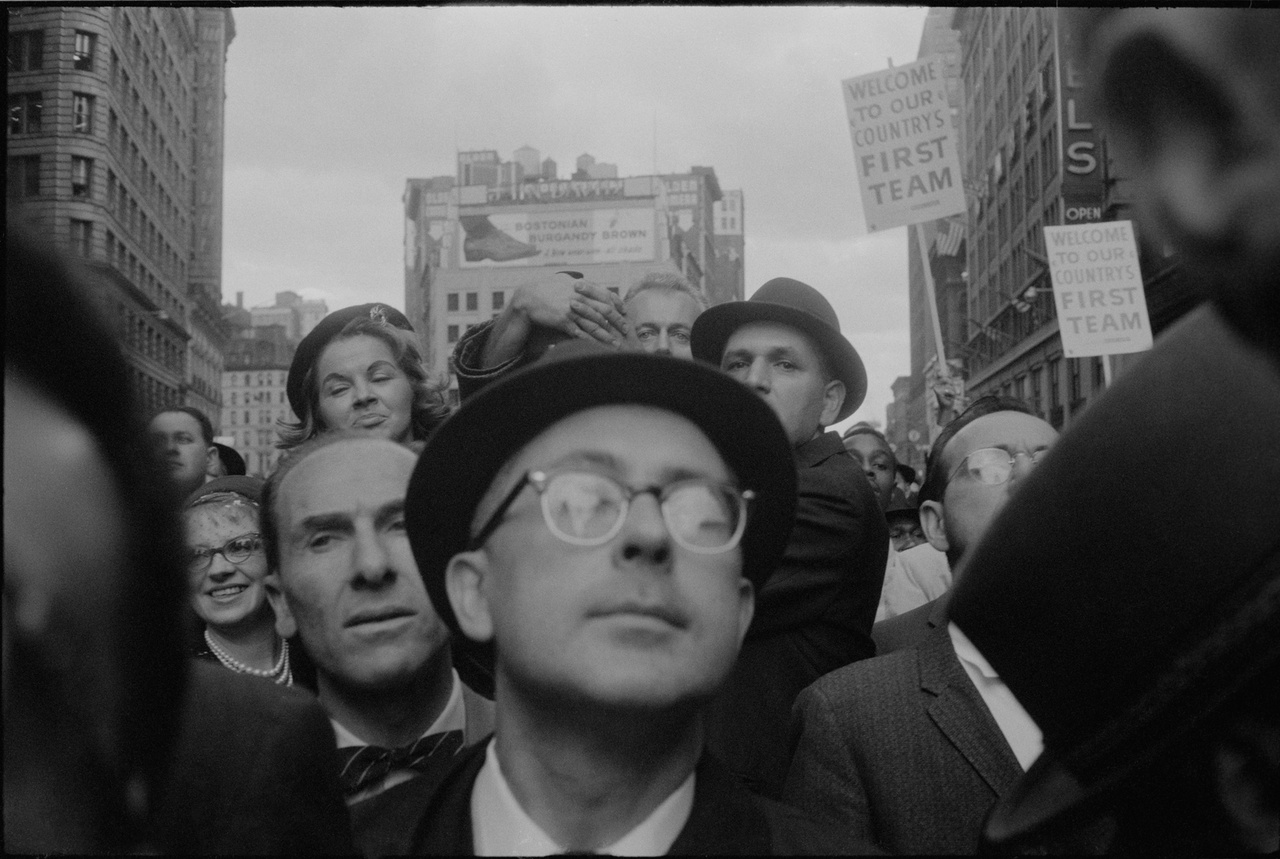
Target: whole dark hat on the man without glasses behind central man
[{"x": 796, "y": 304}]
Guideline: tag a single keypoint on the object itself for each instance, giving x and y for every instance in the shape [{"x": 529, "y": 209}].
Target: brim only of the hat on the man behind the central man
[{"x": 717, "y": 325}]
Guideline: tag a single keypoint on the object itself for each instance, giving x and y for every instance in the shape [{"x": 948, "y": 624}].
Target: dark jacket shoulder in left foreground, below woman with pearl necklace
[{"x": 255, "y": 771}]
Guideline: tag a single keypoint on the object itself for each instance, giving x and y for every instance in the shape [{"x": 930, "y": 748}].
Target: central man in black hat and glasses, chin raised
[{"x": 596, "y": 561}]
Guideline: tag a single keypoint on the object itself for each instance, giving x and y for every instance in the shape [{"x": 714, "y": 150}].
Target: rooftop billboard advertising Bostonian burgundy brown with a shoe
[{"x": 559, "y": 237}]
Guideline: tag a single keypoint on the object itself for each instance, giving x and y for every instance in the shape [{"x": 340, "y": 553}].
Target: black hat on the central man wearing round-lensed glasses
[{"x": 465, "y": 454}]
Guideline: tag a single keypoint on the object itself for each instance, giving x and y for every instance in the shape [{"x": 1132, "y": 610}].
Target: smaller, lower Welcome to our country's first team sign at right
[{"x": 1098, "y": 286}]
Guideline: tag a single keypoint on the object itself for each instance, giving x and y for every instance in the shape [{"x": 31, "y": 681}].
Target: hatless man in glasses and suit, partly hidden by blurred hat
[{"x": 913, "y": 748}]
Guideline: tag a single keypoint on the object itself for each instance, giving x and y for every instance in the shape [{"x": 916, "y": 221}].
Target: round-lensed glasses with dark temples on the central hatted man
[{"x": 588, "y": 509}]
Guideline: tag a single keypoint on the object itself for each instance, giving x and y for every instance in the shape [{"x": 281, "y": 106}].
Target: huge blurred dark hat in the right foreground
[{"x": 1158, "y": 597}]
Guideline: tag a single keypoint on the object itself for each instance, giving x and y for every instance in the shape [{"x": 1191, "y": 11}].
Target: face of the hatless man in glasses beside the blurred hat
[{"x": 968, "y": 505}]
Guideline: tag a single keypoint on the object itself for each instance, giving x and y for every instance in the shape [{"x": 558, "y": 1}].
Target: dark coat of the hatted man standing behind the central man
[{"x": 812, "y": 616}]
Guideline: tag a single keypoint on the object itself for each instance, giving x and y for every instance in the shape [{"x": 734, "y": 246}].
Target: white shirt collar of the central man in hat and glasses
[{"x": 500, "y": 826}]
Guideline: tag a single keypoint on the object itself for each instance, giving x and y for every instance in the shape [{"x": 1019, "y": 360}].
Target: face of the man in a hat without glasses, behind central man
[{"x": 783, "y": 365}]
